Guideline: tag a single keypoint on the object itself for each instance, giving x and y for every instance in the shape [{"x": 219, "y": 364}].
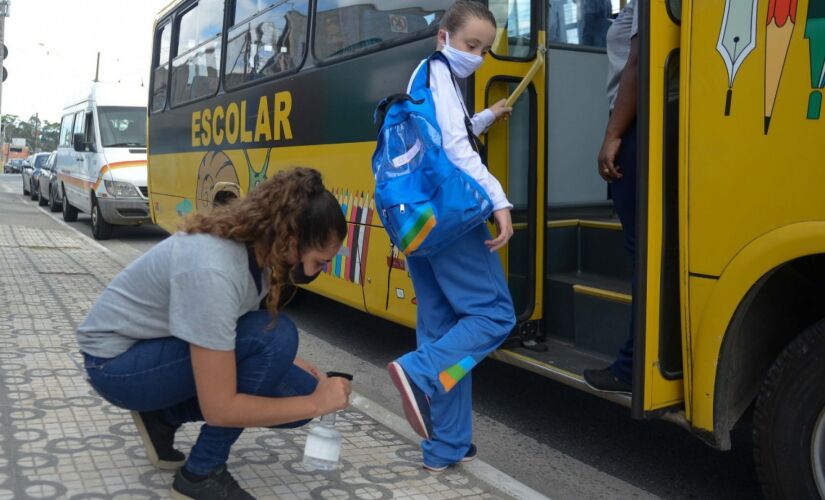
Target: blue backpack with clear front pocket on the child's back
[{"x": 424, "y": 201}]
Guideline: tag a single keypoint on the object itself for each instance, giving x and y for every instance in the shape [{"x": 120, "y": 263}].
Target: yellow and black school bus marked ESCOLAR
[{"x": 731, "y": 220}]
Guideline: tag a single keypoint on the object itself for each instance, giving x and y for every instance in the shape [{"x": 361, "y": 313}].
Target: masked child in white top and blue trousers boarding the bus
[{"x": 464, "y": 306}]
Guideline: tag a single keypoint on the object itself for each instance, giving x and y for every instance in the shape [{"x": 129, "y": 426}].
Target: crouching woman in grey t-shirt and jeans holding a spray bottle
[{"x": 177, "y": 336}]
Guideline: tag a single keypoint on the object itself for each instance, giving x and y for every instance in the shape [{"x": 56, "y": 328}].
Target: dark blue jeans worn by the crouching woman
[{"x": 157, "y": 375}]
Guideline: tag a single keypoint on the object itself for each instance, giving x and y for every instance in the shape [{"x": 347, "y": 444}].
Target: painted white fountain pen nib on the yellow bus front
[{"x": 737, "y": 39}]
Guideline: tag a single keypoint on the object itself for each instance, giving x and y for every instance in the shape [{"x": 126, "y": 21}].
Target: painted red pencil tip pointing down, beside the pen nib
[{"x": 781, "y": 21}]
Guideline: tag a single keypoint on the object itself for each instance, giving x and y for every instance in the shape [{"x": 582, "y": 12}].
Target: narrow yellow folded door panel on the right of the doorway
[{"x": 660, "y": 299}]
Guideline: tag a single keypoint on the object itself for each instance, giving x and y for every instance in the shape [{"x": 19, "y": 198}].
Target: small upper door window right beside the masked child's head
[{"x": 514, "y": 20}]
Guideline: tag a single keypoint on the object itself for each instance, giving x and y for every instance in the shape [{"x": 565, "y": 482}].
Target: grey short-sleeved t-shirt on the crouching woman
[{"x": 193, "y": 287}]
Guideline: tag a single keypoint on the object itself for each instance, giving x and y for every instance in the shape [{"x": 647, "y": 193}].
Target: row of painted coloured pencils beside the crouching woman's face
[{"x": 359, "y": 210}]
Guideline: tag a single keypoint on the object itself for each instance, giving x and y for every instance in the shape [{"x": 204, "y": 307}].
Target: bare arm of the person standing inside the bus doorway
[{"x": 624, "y": 112}]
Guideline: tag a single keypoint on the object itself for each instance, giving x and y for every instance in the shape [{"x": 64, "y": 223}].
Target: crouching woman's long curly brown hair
[{"x": 293, "y": 204}]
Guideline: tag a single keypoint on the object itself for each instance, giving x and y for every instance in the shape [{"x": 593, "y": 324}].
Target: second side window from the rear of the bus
[{"x": 195, "y": 69}]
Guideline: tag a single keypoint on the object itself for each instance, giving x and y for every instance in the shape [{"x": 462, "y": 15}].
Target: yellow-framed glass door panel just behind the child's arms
[{"x": 515, "y": 148}]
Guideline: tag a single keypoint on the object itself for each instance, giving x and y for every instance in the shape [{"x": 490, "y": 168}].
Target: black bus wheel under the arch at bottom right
[{"x": 789, "y": 421}]
